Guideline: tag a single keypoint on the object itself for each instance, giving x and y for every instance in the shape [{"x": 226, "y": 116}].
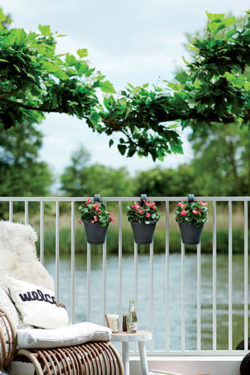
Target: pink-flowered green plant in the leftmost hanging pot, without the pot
[{"x": 95, "y": 212}]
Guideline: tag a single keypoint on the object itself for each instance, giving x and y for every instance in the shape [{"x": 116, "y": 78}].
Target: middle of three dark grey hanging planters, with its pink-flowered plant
[{"x": 143, "y": 217}]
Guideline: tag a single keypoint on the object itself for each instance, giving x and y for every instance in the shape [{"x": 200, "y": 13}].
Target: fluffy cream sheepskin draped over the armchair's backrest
[{"x": 18, "y": 255}]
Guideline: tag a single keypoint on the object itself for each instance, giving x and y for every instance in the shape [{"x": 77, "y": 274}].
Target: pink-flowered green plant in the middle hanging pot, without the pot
[{"x": 144, "y": 213}]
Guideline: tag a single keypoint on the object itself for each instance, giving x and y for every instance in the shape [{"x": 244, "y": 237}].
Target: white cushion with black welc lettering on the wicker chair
[{"x": 37, "y": 305}]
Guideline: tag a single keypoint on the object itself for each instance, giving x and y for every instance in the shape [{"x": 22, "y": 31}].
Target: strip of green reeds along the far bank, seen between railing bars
[{"x": 127, "y": 241}]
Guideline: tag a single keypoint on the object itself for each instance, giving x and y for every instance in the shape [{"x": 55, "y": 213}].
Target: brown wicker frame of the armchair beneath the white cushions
[{"x": 91, "y": 358}]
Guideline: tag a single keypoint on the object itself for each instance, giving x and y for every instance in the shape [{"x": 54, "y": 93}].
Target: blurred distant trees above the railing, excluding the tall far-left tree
[{"x": 220, "y": 167}]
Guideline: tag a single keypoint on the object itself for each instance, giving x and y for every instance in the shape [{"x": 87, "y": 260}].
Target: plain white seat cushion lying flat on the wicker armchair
[{"x": 66, "y": 336}]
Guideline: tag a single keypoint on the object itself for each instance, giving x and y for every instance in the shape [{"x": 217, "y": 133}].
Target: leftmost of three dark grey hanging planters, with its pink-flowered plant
[{"x": 96, "y": 218}]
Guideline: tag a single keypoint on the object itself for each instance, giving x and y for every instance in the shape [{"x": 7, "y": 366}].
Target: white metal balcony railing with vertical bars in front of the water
[{"x": 165, "y": 324}]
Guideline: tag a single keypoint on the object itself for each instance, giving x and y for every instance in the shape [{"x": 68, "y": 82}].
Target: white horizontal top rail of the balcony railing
[{"x": 121, "y": 199}]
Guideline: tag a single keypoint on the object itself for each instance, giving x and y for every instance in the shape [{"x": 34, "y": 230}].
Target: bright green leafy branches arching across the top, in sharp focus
[{"x": 212, "y": 89}]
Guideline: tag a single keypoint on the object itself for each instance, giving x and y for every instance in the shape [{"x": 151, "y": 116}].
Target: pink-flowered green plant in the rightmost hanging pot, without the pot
[{"x": 192, "y": 212}]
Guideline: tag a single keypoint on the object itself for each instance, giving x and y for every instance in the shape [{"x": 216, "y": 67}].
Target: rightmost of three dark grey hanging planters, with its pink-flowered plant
[{"x": 191, "y": 217}]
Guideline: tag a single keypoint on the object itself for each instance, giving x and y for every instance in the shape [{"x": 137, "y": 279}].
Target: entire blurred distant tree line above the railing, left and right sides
[{"x": 220, "y": 167}]
